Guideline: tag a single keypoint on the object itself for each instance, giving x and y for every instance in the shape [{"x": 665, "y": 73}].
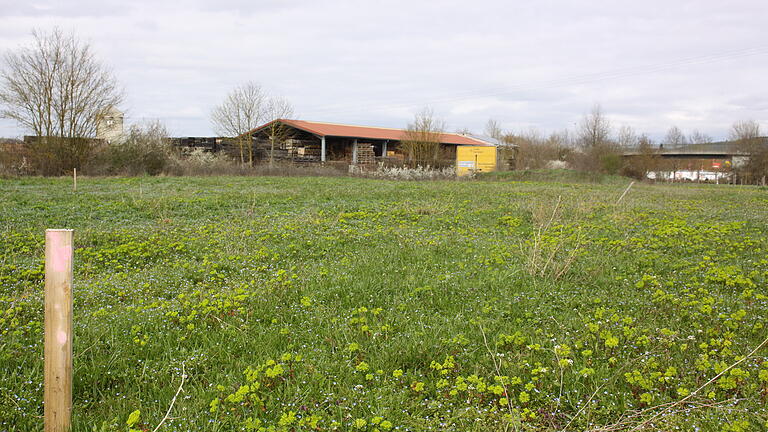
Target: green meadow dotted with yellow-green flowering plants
[{"x": 303, "y": 304}]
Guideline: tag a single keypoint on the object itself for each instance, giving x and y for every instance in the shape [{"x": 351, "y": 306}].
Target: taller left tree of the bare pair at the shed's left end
[{"x": 241, "y": 112}]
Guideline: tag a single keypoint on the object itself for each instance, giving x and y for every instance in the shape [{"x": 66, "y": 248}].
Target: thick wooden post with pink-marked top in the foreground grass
[{"x": 58, "y": 330}]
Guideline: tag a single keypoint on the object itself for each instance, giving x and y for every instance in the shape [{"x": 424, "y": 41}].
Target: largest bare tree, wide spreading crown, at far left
[{"x": 56, "y": 89}]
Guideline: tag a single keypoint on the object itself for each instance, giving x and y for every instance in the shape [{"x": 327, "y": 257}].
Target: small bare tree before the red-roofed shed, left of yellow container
[{"x": 421, "y": 140}]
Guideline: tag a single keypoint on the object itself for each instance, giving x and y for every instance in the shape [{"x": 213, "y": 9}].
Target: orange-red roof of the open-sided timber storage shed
[{"x": 351, "y": 131}]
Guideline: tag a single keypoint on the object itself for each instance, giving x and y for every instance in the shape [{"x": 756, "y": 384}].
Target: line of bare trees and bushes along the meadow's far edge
[{"x": 58, "y": 91}]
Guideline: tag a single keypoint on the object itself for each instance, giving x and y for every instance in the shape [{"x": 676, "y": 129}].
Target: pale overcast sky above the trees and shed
[{"x": 650, "y": 64}]
